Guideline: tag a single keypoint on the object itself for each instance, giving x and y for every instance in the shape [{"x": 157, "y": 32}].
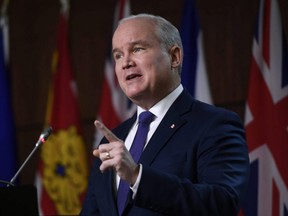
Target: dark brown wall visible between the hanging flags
[{"x": 228, "y": 28}]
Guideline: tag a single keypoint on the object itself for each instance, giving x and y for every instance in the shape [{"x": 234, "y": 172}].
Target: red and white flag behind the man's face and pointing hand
[{"x": 114, "y": 106}]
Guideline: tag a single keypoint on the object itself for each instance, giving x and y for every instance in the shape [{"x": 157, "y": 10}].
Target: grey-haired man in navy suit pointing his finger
[{"x": 195, "y": 159}]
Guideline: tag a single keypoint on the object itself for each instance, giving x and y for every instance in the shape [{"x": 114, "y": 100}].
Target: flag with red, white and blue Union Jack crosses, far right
[{"x": 266, "y": 117}]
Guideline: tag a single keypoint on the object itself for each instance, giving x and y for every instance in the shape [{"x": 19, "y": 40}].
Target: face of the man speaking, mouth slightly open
[{"x": 142, "y": 66}]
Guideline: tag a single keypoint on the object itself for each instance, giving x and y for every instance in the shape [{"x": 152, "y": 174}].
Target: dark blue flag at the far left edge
[{"x": 8, "y": 159}]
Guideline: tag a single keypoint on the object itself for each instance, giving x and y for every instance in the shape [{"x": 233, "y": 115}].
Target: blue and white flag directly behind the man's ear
[{"x": 194, "y": 74}]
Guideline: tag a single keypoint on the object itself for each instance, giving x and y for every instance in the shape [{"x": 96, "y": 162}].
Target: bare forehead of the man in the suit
[{"x": 134, "y": 30}]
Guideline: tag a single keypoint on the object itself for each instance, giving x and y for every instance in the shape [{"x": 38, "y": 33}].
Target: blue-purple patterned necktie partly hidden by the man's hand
[{"x": 145, "y": 118}]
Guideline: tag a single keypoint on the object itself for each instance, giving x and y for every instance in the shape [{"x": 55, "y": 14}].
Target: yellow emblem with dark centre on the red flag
[{"x": 65, "y": 172}]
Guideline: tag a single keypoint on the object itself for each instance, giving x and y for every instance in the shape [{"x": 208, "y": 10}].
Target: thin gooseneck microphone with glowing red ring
[{"x": 42, "y": 139}]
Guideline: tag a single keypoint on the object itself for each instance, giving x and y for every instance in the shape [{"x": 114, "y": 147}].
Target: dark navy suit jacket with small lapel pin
[{"x": 196, "y": 163}]
